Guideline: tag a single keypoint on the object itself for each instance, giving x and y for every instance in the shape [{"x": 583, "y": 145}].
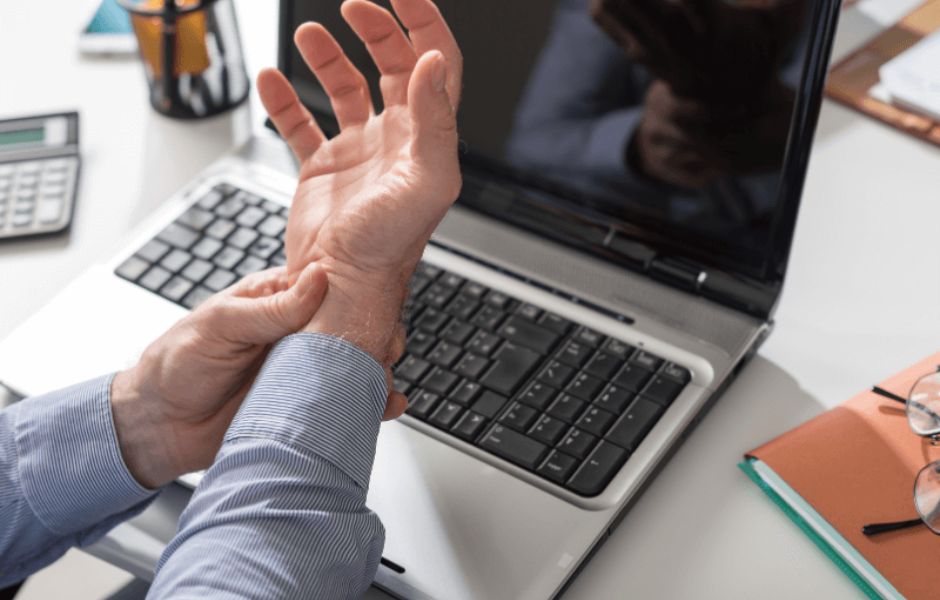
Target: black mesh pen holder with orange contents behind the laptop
[{"x": 192, "y": 55}]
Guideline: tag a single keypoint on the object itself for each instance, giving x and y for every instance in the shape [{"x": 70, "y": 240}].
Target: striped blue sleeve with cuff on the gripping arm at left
[{"x": 63, "y": 482}]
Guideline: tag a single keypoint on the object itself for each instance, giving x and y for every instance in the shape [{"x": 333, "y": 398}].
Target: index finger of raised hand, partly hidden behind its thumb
[{"x": 429, "y": 31}]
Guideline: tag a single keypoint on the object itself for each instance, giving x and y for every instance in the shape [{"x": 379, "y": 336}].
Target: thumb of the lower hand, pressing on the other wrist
[{"x": 269, "y": 318}]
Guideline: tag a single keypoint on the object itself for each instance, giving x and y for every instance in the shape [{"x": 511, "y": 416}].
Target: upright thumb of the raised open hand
[{"x": 433, "y": 118}]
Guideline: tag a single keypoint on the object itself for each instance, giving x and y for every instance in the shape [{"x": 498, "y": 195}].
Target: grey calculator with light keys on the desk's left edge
[{"x": 39, "y": 165}]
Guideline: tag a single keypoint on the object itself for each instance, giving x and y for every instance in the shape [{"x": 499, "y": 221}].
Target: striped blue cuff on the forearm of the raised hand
[{"x": 321, "y": 394}]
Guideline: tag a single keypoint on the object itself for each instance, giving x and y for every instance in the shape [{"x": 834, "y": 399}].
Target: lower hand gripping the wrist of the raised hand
[{"x": 172, "y": 409}]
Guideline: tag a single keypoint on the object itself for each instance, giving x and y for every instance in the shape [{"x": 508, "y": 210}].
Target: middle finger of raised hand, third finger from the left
[{"x": 387, "y": 45}]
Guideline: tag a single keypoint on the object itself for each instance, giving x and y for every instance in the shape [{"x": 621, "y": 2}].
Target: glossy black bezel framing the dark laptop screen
[{"x": 746, "y": 288}]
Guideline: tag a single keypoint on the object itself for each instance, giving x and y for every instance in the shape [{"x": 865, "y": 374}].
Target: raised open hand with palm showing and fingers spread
[{"x": 369, "y": 199}]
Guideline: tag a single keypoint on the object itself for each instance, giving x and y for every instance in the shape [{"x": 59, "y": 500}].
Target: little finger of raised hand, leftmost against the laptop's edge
[{"x": 292, "y": 120}]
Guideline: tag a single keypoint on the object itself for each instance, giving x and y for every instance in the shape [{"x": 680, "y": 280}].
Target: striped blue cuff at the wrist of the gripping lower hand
[{"x": 71, "y": 468}]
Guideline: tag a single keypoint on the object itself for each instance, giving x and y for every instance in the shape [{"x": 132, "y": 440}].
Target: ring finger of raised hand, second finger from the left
[{"x": 342, "y": 81}]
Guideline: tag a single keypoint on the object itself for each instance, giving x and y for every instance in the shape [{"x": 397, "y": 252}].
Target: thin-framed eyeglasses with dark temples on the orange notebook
[{"x": 923, "y": 415}]
